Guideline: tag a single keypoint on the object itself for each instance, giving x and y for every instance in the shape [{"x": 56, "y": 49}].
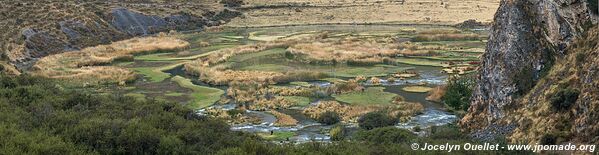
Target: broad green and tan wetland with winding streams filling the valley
[{"x": 276, "y": 81}]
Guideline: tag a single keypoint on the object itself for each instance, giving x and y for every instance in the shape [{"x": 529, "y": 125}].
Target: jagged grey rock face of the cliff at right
[{"x": 527, "y": 38}]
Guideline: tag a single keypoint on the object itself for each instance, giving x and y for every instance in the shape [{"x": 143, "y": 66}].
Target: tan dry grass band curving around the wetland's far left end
[{"x": 83, "y": 65}]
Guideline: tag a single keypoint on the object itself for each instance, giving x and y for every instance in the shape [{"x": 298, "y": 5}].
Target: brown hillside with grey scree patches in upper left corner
[{"x": 33, "y": 29}]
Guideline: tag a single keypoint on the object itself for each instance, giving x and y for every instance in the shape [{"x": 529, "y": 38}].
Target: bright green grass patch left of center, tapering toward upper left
[{"x": 202, "y": 96}]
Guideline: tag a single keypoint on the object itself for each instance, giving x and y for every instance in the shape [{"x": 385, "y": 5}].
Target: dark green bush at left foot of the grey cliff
[{"x": 458, "y": 93}]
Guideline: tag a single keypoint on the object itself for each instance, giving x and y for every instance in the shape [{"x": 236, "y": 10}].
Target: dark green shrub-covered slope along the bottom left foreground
[{"x": 40, "y": 116}]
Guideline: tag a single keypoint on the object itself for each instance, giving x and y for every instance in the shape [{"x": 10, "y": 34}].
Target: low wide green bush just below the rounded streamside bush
[{"x": 385, "y": 135}]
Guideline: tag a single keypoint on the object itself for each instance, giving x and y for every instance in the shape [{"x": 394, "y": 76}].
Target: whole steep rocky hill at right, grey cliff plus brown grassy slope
[{"x": 530, "y": 39}]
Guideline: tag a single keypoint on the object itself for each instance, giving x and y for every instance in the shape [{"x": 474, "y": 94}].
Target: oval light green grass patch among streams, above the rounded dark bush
[{"x": 370, "y": 96}]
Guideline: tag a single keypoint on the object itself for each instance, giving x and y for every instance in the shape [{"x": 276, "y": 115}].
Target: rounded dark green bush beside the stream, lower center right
[{"x": 376, "y": 120}]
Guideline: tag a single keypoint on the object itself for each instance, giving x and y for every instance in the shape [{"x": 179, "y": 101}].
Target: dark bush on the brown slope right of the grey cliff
[{"x": 564, "y": 99}]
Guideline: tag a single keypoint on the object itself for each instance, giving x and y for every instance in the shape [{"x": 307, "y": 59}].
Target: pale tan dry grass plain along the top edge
[{"x": 301, "y": 12}]
